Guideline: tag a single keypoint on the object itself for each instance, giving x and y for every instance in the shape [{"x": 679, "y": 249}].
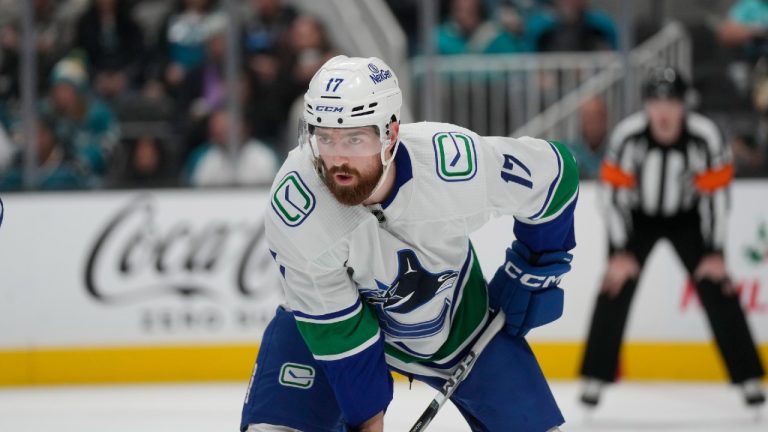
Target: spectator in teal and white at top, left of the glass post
[{"x": 181, "y": 45}]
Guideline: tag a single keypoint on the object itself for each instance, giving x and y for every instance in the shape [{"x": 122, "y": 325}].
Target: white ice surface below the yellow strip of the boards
[{"x": 640, "y": 407}]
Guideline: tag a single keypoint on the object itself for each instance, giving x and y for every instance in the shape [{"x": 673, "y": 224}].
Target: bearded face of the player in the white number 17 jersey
[{"x": 352, "y": 162}]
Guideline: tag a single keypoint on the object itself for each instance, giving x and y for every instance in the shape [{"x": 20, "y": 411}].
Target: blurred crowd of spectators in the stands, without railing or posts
[{"x": 133, "y": 93}]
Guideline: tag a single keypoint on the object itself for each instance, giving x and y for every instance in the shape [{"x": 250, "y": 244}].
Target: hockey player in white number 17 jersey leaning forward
[{"x": 369, "y": 223}]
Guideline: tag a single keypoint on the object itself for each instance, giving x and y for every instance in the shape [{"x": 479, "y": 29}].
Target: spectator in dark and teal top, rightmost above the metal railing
[{"x": 572, "y": 26}]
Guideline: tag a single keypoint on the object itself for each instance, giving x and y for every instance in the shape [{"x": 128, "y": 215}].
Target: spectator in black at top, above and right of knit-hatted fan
[{"x": 112, "y": 42}]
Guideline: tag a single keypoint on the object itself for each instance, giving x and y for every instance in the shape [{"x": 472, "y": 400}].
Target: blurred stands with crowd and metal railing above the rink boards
[{"x": 109, "y": 94}]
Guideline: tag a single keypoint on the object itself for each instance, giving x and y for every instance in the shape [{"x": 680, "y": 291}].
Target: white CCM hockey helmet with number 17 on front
[{"x": 349, "y": 92}]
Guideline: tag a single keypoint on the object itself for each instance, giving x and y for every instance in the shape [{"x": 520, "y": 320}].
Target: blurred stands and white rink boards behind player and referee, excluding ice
[{"x": 138, "y": 140}]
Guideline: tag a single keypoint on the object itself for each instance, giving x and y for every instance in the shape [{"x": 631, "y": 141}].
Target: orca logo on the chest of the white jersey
[{"x": 413, "y": 287}]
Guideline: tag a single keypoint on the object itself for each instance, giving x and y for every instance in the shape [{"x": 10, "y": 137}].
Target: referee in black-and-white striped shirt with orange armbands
[{"x": 666, "y": 174}]
